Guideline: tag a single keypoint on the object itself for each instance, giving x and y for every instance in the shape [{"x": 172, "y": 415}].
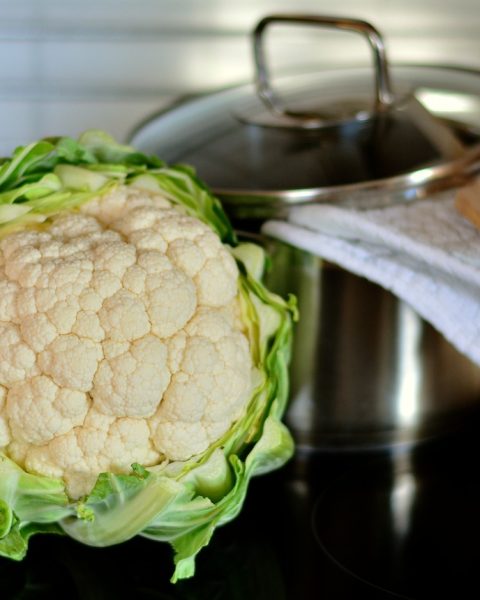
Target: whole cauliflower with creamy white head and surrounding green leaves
[{"x": 143, "y": 364}]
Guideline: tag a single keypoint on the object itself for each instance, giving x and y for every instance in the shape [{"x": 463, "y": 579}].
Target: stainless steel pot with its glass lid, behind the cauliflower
[{"x": 366, "y": 369}]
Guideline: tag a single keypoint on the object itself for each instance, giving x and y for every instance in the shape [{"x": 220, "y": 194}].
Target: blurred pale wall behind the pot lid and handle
[{"x": 67, "y": 65}]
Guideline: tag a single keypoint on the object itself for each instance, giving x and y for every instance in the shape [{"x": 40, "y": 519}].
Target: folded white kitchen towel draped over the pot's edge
[{"x": 425, "y": 252}]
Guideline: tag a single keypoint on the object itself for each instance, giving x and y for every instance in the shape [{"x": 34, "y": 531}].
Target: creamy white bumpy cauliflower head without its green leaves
[{"x": 122, "y": 340}]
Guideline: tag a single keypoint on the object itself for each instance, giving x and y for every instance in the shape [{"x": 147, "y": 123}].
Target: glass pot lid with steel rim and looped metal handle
[{"x": 363, "y": 137}]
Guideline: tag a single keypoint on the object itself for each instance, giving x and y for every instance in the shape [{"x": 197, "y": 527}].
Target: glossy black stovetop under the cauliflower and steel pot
[{"x": 382, "y": 524}]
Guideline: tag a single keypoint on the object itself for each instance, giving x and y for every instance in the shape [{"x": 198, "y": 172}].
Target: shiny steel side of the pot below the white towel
[{"x": 366, "y": 369}]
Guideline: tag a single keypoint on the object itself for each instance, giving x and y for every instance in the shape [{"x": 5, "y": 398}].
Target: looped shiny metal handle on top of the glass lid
[{"x": 384, "y": 97}]
